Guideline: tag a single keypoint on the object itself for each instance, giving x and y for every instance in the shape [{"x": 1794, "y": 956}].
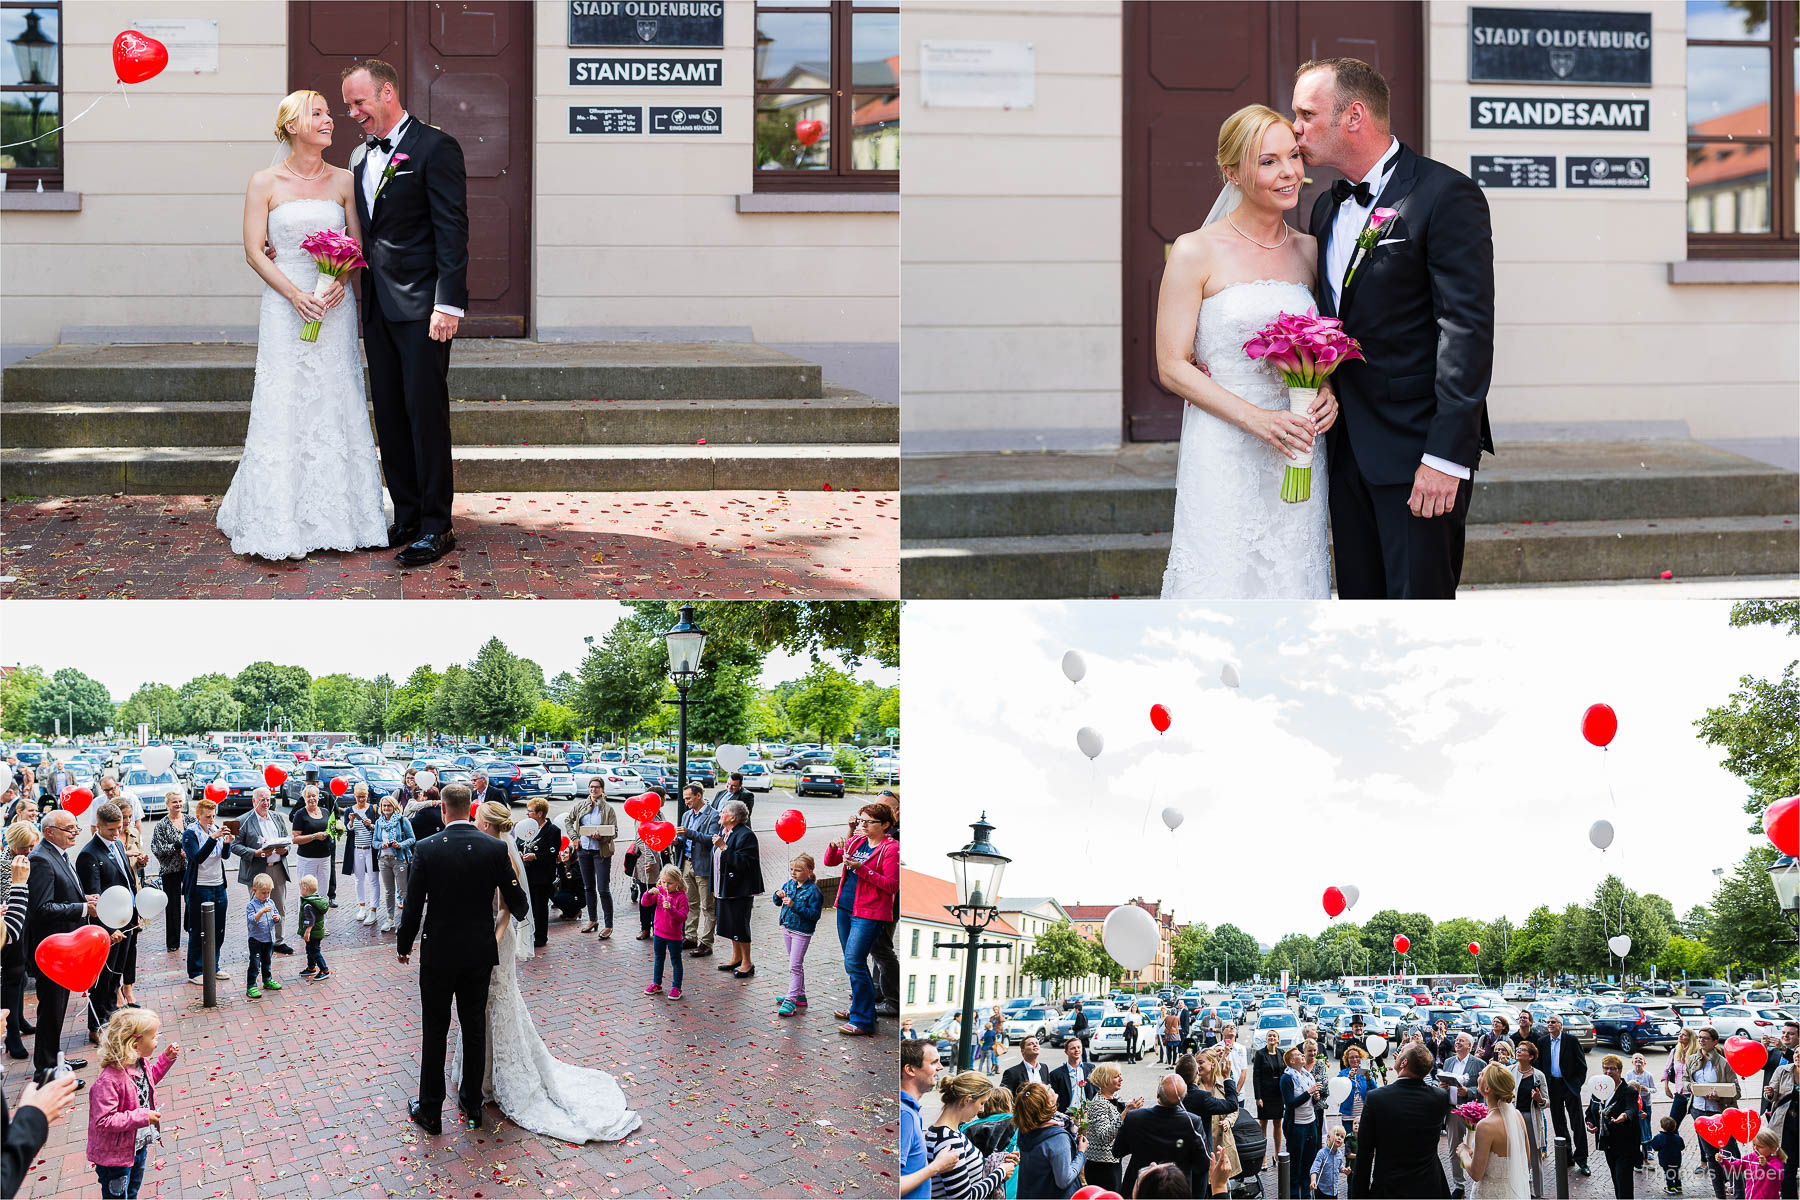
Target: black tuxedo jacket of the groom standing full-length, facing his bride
[{"x": 417, "y": 238}]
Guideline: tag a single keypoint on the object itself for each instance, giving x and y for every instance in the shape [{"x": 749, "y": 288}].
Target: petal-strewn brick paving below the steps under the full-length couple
[{"x": 564, "y": 546}]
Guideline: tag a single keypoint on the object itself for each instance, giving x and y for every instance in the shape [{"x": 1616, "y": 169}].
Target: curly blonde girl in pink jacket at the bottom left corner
[{"x": 123, "y": 1118}]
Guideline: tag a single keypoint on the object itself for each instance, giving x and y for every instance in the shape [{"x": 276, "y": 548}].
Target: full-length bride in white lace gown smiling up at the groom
[{"x": 309, "y": 478}]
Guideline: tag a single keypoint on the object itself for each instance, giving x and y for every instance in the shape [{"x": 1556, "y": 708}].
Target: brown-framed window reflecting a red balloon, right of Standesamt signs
[{"x": 825, "y": 67}]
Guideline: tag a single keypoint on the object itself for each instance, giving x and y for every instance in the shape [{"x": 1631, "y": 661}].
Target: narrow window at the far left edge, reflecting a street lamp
[{"x": 31, "y": 96}]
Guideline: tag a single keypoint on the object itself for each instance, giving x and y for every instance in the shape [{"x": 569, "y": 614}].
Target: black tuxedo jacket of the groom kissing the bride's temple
[{"x": 1423, "y": 309}]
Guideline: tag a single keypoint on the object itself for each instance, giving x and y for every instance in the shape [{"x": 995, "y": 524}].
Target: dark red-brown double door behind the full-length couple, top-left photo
[{"x": 465, "y": 69}]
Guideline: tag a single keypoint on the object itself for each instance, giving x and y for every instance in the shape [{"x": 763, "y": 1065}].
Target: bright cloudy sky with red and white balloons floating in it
[{"x": 1428, "y": 755}]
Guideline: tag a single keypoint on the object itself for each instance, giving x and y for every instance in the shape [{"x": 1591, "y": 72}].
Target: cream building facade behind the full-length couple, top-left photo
[{"x": 634, "y": 168}]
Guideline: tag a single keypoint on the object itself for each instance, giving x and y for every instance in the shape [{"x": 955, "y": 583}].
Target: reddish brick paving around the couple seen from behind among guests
[{"x": 305, "y": 1091}]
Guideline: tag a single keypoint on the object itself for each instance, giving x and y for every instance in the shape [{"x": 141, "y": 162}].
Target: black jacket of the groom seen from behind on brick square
[{"x": 451, "y": 893}]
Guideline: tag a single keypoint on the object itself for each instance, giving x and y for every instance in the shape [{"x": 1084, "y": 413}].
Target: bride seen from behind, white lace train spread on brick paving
[{"x": 534, "y": 1089}]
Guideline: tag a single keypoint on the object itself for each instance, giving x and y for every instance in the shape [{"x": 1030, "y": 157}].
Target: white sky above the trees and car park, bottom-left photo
[{"x": 129, "y": 643}]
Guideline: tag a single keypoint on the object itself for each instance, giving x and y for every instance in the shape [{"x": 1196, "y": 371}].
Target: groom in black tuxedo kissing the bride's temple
[{"x": 1423, "y": 307}]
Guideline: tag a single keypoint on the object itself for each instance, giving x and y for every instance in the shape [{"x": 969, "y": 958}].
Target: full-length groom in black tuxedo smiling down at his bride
[{"x": 413, "y": 204}]
